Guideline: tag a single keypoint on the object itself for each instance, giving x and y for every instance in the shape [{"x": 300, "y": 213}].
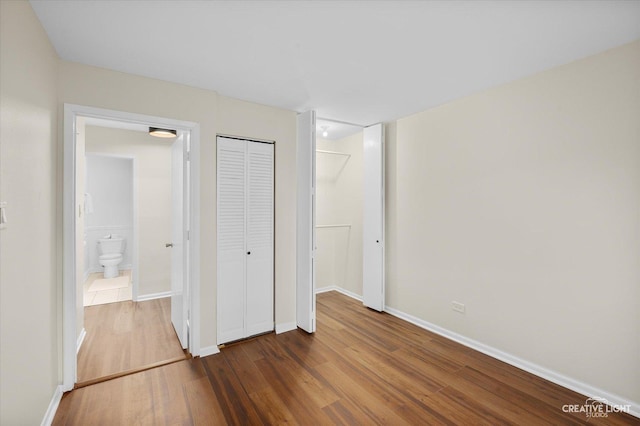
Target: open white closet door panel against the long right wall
[{"x": 373, "y": 220}]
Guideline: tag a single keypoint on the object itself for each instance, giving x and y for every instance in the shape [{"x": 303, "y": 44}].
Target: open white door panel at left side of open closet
[{"x": 306, "y": 223}]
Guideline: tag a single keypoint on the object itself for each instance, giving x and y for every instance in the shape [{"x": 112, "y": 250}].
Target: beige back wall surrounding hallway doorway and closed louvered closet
[{"x": 96, "y": 87}]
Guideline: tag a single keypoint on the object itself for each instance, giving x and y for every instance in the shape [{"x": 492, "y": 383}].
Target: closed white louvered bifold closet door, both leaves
[{"x": 245, "y": 238}]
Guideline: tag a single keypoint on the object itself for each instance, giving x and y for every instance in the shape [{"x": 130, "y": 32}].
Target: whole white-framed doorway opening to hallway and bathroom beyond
[{"x": 128, "y": 214}]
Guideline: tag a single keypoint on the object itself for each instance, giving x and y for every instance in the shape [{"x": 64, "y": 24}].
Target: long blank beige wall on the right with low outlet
[{"x": 523, "y": 202}]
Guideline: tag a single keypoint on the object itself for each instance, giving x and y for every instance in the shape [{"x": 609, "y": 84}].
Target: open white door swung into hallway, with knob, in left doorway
[{"x": 178, "y": 244}]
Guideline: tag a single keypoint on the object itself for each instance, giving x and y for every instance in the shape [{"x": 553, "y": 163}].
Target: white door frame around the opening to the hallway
[{"x": 69, "y": 326}]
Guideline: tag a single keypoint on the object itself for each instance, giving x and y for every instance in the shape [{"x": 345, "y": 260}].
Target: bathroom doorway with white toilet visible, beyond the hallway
[{"x": 109, "y": 215}]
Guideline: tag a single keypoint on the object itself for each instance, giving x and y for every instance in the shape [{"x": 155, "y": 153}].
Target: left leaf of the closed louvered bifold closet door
[{"x": 231, "y": 178}]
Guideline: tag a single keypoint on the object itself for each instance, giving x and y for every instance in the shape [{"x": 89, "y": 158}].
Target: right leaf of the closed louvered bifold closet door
[{"x": 259, "y": 318}]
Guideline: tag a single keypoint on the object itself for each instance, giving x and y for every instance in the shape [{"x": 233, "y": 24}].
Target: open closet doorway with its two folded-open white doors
[{"x": 344, "y": 187}]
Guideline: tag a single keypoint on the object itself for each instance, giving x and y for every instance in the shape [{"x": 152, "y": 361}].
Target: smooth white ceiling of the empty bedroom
[{"x": 355, "y": 61}]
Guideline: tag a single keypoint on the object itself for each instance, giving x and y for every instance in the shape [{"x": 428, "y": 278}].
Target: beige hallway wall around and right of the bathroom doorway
[{"x": 153, "y": 175}]
